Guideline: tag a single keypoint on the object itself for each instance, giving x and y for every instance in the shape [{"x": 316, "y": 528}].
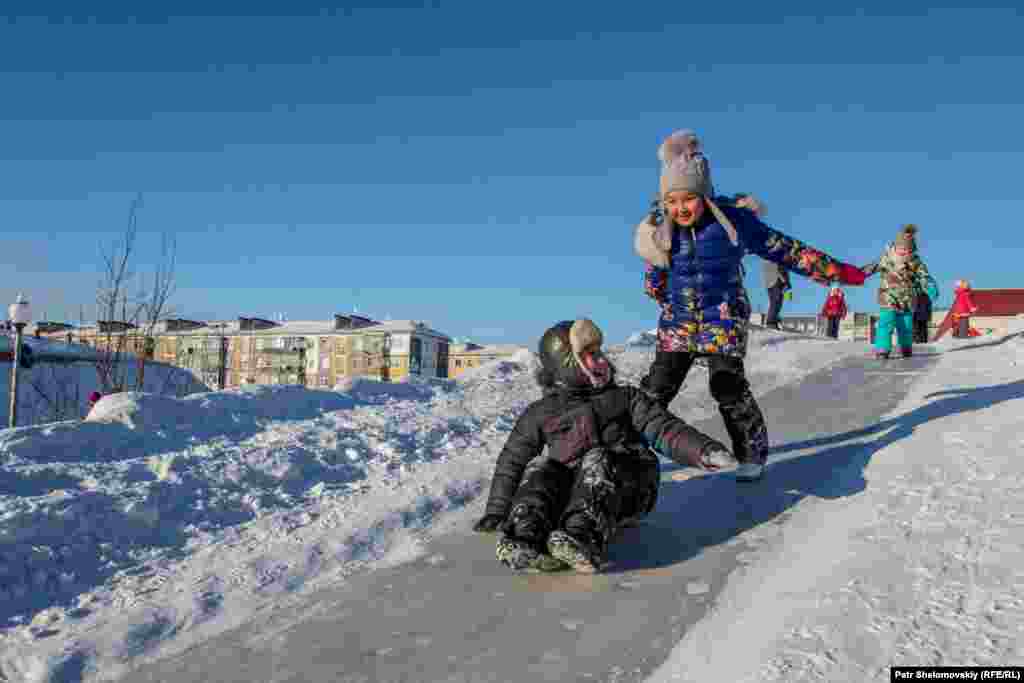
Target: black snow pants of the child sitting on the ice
[{"x": 589, "y": 500}]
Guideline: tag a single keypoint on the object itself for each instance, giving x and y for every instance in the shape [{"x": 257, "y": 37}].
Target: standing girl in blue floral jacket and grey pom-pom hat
[{"x": 695, "y": 274}]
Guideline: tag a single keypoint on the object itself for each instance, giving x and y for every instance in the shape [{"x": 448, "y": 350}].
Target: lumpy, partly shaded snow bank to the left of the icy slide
[{"x": 161, "y": 522}]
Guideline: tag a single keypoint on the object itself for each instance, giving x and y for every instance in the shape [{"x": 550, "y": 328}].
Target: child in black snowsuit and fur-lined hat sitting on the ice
[{"x": 600, "y": 474}]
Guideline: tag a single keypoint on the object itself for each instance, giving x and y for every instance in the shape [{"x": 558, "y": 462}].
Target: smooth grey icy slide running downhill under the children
[{"x": 456, "y": 616}]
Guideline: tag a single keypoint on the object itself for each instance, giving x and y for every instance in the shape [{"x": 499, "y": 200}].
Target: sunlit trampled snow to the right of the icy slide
[{"x": 925, "y": 567}]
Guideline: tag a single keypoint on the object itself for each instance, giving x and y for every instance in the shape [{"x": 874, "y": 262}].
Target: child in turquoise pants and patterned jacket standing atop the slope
[{"x": 905, "y": 278}]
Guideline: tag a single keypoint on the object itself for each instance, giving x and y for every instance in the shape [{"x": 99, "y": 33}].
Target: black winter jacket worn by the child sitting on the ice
[{"x": 571, "y": 422}]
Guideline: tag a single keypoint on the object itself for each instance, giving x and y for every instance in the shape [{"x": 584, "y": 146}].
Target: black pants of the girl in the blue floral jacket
[{"x": 728, "y": 381}]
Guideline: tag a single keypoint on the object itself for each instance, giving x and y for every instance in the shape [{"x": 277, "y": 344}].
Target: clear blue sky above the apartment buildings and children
[{"x": 482, "y": 165}]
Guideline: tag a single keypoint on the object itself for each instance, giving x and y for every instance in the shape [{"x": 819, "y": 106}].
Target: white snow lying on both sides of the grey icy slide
[{"x": 159, "y": 523}]
